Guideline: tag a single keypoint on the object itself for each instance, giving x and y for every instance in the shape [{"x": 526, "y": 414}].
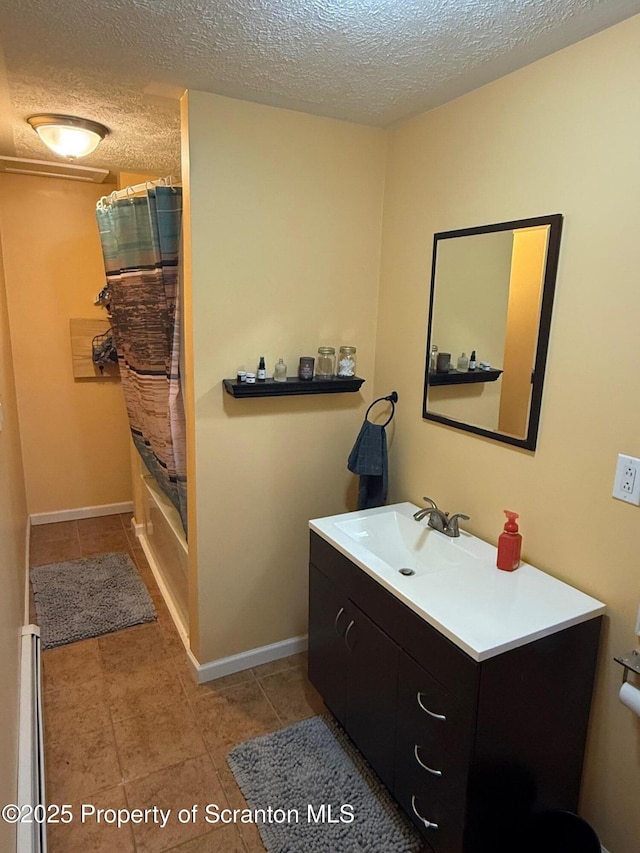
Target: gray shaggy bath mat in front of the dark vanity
[{"x": 295, "y": 771}]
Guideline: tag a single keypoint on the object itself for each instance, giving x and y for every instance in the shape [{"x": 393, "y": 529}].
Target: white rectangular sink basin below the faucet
[{"x": 404, "y": 543}]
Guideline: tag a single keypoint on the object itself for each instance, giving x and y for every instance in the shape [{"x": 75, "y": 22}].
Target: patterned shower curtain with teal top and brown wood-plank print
[{"x": 140, "y": 244}]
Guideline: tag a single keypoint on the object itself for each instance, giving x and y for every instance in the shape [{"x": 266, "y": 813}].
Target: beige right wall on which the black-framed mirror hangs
[{"x": 559, "y": 136}]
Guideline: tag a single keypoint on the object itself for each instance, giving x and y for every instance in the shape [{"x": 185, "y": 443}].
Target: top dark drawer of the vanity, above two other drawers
[{"x": 439, "y": 720}]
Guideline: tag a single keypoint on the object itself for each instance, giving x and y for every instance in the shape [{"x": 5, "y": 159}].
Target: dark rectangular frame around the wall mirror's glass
[{"x": 554, "y": 222}]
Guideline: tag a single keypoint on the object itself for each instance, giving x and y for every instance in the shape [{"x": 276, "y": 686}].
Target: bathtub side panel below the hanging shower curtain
[{"x": 162, "y": 538}]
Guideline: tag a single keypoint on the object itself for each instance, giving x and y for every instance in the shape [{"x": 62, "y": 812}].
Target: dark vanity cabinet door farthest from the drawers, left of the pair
[{"x": 328, "y": 654}]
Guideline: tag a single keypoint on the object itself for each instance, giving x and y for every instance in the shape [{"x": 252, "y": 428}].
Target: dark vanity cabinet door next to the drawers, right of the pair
[{"x": 372, "y": 692}]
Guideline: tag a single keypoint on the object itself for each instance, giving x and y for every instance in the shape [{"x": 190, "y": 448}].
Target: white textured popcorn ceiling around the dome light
[{"x": 125, "y": 62}]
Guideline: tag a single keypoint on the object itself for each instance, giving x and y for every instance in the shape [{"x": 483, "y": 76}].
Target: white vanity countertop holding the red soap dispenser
[{"x": 481, "y": 609}]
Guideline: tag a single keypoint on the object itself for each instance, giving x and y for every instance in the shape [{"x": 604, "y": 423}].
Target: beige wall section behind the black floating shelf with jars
[{"x": 285, "y": 234}]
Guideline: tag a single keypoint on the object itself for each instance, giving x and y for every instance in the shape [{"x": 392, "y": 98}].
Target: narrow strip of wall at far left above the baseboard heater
[{"x": 13, "y": 519}]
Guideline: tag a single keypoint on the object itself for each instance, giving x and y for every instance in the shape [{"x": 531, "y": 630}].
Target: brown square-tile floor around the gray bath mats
[{"x": 126, "y": 725}]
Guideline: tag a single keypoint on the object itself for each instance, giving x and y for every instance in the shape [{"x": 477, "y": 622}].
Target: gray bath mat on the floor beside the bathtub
[{"x": 89, "y": 597}]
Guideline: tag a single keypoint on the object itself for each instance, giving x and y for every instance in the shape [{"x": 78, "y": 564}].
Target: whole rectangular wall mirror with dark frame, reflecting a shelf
[{"x": 491, "y": 297}]
